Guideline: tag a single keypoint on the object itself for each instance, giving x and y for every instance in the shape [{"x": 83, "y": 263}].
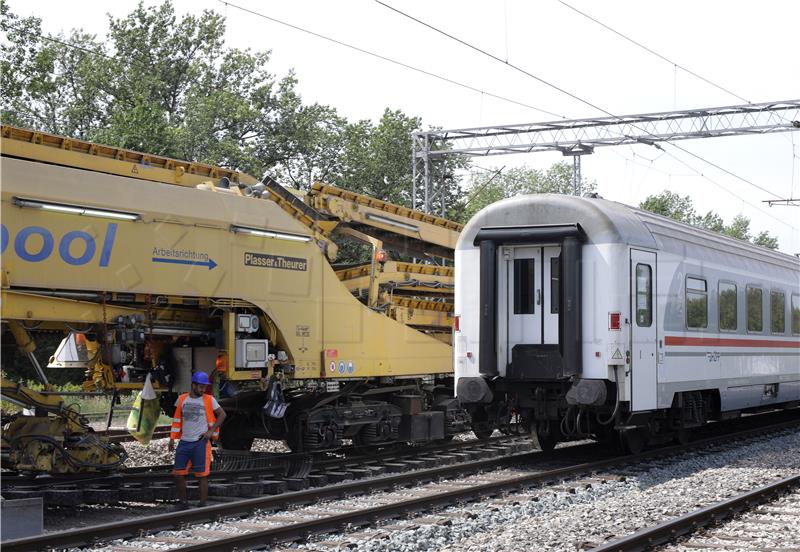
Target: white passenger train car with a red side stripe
[{"x": 589, "y": 317}]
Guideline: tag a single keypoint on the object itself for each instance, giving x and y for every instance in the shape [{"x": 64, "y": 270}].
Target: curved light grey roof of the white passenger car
[{"x": 606, "y": 221}]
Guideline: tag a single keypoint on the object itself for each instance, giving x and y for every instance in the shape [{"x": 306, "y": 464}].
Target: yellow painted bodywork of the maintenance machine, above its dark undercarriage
[{"x": 307, "y": 309}]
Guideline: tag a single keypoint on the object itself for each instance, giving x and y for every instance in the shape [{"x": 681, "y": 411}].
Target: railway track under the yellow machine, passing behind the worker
[{"x": 272, "y": 474}]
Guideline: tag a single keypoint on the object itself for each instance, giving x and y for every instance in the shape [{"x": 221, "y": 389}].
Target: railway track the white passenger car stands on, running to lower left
[{"x": 461, "y": 484}]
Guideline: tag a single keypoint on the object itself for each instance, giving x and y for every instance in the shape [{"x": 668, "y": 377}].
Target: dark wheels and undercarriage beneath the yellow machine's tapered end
[{"x": 409, "y": 410}]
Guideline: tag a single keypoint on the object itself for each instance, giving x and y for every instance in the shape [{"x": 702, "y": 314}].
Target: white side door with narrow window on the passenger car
[{"x": 644, "y": 336}]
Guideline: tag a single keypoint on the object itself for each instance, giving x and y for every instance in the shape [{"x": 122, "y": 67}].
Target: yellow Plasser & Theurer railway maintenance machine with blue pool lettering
[{"x": 153, "y": 265}]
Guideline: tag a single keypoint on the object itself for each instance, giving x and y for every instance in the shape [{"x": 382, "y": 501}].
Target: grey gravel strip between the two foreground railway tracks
[{"x": 576, "y": 519}]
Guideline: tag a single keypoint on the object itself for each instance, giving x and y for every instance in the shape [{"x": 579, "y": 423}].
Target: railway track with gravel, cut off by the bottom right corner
[{"x": 775, "y": 505}]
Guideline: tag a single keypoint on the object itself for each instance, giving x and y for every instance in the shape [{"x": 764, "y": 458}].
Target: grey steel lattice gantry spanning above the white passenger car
[{"x": 577, "y": 137}]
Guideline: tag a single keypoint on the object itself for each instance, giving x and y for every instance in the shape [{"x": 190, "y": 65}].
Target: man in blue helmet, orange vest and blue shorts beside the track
[{"x": 198, "y": 417}]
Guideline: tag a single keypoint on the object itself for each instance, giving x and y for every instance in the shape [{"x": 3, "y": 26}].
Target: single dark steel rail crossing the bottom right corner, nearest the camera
[{"x": 669, "y": 530}]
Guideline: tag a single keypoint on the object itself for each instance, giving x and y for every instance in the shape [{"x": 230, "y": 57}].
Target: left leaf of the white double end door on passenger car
[{"x": 519, "y": 315}]
